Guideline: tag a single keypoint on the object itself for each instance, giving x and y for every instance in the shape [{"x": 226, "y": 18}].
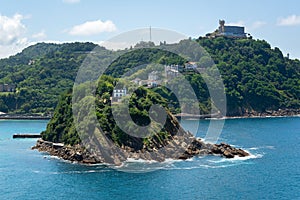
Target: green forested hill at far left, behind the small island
[{"x": 41, "y": 72}]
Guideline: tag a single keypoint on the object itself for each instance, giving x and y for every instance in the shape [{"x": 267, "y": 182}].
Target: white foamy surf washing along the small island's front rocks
[{"x": 143, "y": 166}]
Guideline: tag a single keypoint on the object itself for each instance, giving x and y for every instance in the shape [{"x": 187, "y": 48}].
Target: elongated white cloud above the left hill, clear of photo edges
[{"x": 93, "y": 28}]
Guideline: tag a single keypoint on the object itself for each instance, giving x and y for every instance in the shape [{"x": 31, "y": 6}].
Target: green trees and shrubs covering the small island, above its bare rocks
[{"x": 62, "y": 128}]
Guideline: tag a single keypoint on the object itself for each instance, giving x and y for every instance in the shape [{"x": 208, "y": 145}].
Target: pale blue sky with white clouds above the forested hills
[{"x": 26, "y": 22}]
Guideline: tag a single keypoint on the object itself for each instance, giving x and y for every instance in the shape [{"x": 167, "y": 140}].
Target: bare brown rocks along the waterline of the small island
[{"x": 197, "y": 147}]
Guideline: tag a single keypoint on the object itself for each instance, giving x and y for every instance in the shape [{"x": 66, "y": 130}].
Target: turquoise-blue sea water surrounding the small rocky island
[{"x": 273, "y": 172}]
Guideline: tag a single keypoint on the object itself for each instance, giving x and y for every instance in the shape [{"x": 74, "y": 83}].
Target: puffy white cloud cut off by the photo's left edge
[{"x": 11, "y": 29}]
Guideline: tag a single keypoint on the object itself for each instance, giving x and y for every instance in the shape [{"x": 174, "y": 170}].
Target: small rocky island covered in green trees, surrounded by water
[{"x": 151, "y": 135}]
